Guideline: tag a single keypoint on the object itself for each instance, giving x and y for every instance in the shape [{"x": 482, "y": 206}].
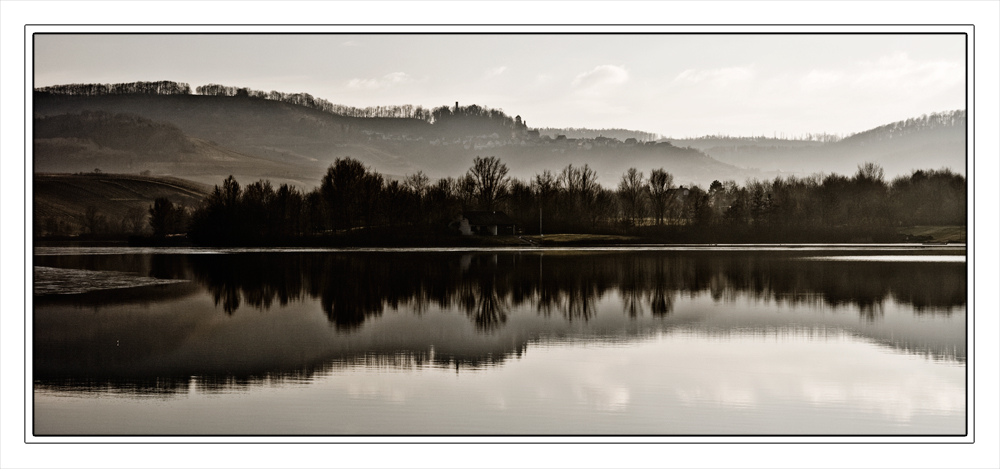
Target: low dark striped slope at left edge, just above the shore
[{"x": 61, "y": 201}]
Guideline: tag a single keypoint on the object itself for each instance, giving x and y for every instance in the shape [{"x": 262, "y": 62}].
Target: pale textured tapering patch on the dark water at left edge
[{"x": 56, "y": 281}]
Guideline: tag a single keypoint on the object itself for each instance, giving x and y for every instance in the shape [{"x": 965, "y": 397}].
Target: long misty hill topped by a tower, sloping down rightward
[{"x": 303, "y": 141}]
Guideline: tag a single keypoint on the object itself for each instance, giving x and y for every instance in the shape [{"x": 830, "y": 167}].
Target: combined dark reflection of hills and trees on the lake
[{"x": 254, "y": 317}]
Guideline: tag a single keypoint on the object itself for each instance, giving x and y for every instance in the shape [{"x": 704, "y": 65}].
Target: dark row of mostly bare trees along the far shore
[{"x": 356, "y": 201}]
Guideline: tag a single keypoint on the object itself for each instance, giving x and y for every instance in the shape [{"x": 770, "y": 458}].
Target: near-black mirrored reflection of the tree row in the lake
[{"x": 355, "y": 286}]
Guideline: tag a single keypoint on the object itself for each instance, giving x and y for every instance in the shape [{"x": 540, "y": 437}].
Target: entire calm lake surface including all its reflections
[{"x": 650, "y": 341}]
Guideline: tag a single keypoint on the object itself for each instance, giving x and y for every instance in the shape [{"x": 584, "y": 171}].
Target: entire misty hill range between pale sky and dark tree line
[{"x": 275, "y": 137}]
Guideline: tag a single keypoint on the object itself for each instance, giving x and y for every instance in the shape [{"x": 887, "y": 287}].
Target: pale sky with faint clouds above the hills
[{"x": 674, "y": 85}]
